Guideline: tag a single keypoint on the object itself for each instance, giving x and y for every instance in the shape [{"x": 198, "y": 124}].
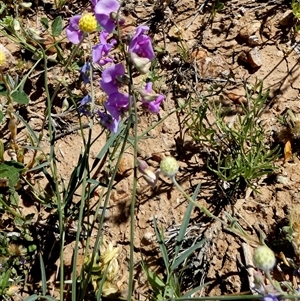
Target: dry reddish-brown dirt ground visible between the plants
[{"x": 248, "y": 40}]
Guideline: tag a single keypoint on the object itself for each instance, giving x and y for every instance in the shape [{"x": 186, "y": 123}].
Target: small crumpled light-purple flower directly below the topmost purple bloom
[{"x": 101, "y": 50}]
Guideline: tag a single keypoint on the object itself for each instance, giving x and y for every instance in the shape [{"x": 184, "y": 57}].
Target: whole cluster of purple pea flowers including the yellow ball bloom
[{"x": 140, "y": 53}]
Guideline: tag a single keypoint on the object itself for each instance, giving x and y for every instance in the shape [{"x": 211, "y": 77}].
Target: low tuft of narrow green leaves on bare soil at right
[{"x": 237, "y": 149}]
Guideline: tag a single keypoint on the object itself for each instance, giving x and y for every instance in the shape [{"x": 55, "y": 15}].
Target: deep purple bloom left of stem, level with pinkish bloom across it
[{"x": 116, "y": 104}]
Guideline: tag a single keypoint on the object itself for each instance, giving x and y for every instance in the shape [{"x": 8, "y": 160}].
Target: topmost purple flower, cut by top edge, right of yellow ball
[{"x": 104, "y": 10}]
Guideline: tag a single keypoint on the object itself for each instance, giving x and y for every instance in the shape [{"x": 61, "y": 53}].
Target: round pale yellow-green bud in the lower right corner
[{"x": 264, "y": 258}]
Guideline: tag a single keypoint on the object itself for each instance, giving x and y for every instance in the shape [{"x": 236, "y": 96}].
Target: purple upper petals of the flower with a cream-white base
[{"x": 141, "y": 44}]
